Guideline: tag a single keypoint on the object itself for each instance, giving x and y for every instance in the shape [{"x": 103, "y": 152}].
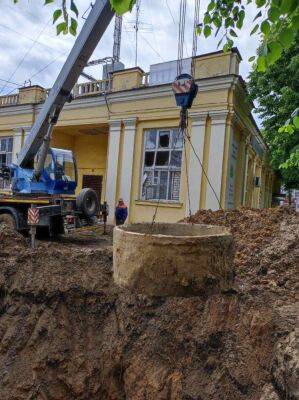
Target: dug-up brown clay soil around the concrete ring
[{"x": 67, "y": 332}]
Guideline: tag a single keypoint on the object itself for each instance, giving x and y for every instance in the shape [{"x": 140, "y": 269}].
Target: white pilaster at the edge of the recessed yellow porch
[{"x": 112, "y": 166}]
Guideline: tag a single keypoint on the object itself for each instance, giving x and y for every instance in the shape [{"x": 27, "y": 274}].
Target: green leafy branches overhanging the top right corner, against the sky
[{"x": 276, "y": 21}]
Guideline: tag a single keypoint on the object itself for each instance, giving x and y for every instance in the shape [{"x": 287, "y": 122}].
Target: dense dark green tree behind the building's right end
[{"x": 277, "y": 94}]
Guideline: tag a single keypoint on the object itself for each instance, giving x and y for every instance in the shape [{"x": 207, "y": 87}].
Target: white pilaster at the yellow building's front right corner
[{"x": 216, "y": 157}]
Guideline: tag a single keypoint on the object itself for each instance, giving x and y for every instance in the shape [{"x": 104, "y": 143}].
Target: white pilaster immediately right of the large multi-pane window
[{"x": 194, "y": 168}]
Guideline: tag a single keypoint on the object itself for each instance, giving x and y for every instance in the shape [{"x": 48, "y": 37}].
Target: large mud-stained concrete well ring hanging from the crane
[{"x": 168, "y": 259}]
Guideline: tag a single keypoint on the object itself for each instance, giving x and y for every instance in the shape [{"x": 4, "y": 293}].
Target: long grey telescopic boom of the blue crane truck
[{"x": 86, "y": 42}]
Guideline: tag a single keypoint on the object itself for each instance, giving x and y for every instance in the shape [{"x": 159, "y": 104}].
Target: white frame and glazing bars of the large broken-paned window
[{"x": 158, "y": 169}]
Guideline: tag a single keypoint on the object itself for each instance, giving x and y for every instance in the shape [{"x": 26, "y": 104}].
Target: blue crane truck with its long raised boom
[{"x": 43, "y": 181}]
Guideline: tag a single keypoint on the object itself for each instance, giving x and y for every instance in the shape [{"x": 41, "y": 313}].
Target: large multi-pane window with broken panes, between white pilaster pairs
[{"x": 162, "y": 162}]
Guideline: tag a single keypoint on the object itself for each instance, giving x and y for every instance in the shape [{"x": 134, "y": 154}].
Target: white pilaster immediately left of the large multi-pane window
[{"x": 127, "y": 160}]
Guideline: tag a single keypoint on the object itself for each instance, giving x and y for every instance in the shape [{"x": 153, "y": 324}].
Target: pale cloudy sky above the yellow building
[{"x": 30, "y": 49}]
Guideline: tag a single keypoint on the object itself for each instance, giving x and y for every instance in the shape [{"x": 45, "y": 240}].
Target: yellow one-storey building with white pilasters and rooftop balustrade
[{"x": 124, "y": 134}]
